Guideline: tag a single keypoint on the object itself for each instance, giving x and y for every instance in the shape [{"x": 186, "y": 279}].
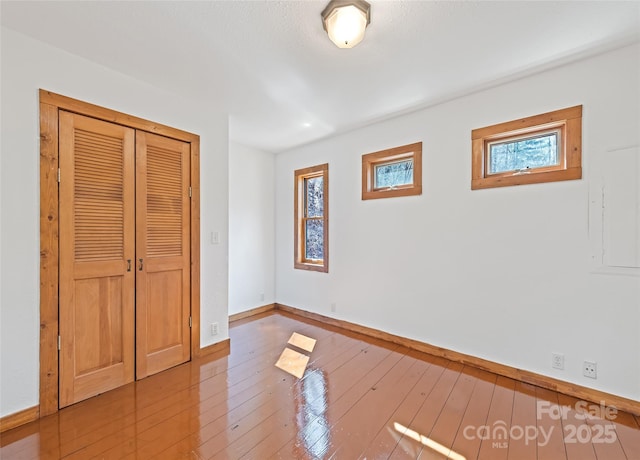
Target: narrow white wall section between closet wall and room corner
[{"x": 251, "y": 228}]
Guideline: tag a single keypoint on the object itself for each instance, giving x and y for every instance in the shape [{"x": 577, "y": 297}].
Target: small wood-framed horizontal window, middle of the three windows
[{"x": 392, "y": 172}]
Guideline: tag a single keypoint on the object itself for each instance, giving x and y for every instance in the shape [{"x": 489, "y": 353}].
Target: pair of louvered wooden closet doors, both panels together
[{"x": 124, "y": 300}]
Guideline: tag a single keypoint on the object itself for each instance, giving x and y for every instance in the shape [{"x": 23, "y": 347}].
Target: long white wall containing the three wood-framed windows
[{"x": 503, "y": 274}]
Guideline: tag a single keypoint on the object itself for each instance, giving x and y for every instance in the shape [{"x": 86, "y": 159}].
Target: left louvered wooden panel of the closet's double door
[{"x": 97, "y": 238}]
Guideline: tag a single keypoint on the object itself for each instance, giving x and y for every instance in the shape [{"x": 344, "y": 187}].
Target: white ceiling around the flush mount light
[{"x": 272, "y": 67}]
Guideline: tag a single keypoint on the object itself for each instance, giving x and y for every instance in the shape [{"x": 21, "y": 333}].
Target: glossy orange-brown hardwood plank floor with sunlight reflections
[{"x": 358, "y": 398}]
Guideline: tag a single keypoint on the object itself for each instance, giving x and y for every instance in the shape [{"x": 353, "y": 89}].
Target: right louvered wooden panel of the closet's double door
[{"x": 163, "y": 305}]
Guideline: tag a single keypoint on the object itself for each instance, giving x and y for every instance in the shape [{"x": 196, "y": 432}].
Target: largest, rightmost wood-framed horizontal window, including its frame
[{"x": 542, "y": 148}]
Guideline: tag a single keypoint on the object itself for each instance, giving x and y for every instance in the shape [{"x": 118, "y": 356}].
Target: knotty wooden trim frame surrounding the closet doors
[{"x": 50, "y": 105}]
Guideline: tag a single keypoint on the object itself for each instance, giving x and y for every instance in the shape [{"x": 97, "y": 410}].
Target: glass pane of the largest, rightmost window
[{"x": 534, "y": 152}]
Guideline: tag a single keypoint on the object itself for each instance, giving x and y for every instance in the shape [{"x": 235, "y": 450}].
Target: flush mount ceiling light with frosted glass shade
[{"x": 345, "y": 21}]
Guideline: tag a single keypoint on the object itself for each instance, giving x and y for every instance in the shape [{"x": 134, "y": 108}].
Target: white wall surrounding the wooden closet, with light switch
[{"x": 26, "y": 66}]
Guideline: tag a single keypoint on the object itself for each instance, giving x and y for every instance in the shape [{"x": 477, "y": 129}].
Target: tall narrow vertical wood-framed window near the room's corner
[{"x": 311, "y": 211}]
